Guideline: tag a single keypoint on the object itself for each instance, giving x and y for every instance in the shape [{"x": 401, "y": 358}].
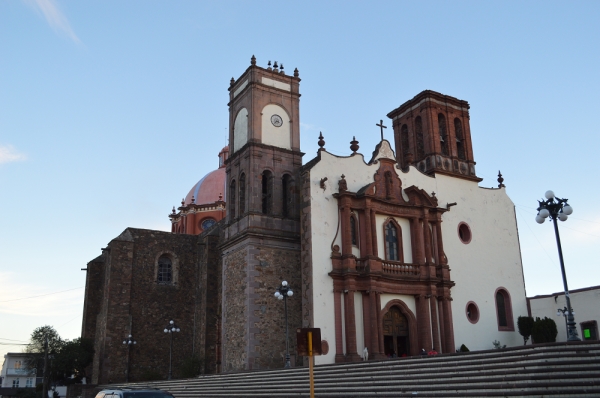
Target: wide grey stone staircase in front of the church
[{"x": 548, "y": 370}]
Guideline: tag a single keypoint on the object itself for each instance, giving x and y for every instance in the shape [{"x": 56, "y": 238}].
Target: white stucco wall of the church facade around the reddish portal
[{"x": 491, "y": 260}]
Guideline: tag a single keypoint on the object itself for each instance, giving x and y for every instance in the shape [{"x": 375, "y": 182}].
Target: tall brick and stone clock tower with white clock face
[{"x": 261, "y": 242}]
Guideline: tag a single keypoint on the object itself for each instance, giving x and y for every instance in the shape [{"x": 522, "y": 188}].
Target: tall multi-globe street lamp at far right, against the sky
[{"x": 559, "y": 209}]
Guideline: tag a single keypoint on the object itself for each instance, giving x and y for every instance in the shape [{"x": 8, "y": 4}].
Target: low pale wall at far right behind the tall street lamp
[{"x": 585, "y": 304}]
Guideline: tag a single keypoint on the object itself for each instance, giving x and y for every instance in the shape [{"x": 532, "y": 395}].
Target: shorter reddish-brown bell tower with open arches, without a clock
[{"x": 432, "y": 132}]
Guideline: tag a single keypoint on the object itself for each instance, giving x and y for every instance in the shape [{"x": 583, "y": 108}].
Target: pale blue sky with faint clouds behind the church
[{"x": 110, "y": 111}]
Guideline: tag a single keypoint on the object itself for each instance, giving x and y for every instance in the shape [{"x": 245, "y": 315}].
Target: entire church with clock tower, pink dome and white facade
[{"x": 395, "y": 252}]
